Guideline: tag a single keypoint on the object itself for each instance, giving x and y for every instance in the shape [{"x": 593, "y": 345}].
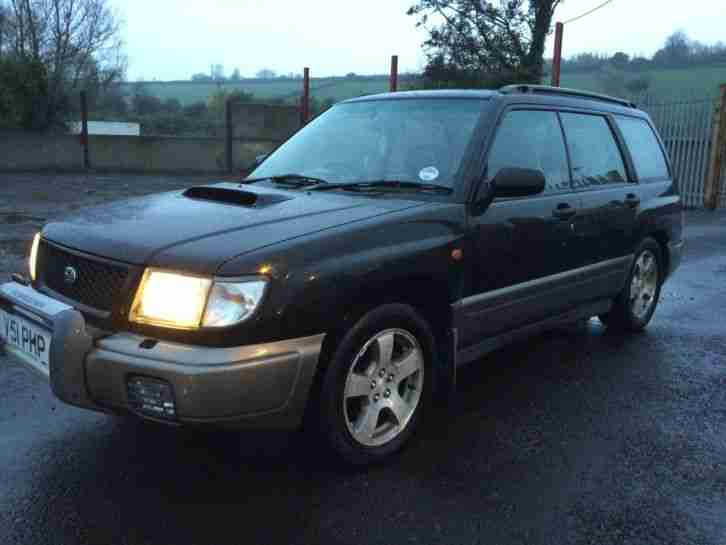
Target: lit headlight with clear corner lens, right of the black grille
[{"x": 184, "y": 301}]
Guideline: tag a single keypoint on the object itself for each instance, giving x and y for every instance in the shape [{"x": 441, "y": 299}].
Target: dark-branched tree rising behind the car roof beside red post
[{"x": 486, "y": 41}]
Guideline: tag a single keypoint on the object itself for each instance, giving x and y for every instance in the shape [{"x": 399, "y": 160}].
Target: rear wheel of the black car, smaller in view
[{"x": 634, "y": 307}]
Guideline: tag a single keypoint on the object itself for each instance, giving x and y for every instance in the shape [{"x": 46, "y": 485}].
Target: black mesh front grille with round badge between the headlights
[{"x": 97, "y": 284}]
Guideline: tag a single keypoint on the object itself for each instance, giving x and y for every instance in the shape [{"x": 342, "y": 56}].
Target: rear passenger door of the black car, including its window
[{"x": 605, "y": 225}]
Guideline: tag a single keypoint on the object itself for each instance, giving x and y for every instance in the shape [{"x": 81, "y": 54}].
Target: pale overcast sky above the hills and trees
[{"x": 173, "y": 39}]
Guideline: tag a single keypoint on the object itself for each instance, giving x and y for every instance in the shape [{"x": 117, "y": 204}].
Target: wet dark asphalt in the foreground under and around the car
[{"x": 577, "y": 436}]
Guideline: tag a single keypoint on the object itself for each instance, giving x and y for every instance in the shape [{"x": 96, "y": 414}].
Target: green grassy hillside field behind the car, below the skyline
[{"x": 666, "y": 84}]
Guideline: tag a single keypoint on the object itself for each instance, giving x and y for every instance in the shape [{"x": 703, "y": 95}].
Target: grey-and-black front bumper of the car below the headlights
[{"x": 260, "y": 386}]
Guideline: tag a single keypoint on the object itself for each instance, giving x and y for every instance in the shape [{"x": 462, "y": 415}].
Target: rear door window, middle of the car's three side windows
[{"x": 595, "y": 156}]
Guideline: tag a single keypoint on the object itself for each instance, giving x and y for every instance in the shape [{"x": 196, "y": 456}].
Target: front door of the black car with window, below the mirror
[{"x": 521, "y": 245}]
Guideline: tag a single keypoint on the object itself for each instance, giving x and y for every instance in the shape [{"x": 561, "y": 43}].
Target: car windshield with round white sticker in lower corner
[{"x": 410, "y": 140}]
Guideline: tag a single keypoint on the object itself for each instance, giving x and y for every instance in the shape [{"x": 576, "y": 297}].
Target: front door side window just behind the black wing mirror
[{"x": 531, "y": 139}]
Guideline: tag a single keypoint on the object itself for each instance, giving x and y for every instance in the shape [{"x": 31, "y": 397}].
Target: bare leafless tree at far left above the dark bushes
[{"x": 77, "y": 42}]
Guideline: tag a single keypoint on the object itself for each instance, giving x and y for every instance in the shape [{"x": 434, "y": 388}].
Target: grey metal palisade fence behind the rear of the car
[{"x": 686, "y": 127}]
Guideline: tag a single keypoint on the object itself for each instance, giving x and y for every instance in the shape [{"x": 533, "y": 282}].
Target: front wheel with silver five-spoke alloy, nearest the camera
[{"x": 370, "y": 405}]
